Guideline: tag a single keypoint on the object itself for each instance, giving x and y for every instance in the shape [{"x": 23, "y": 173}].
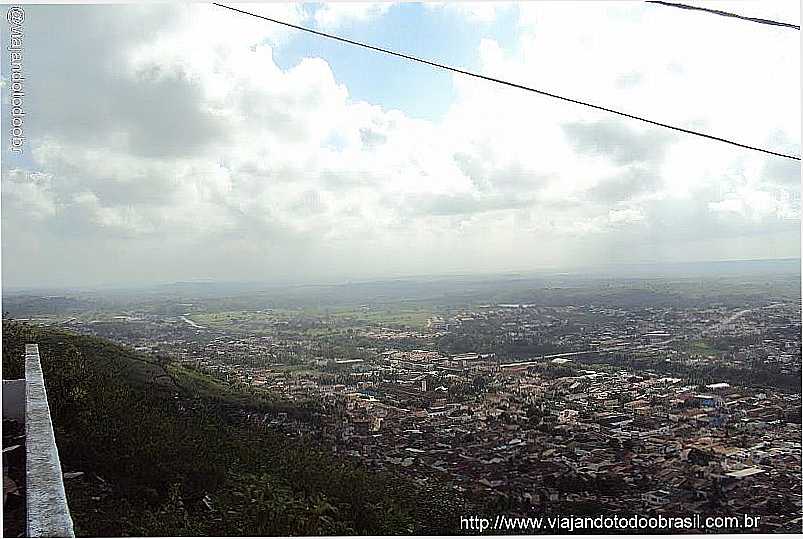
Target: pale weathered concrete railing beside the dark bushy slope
[{"x": 47, "y": 511}]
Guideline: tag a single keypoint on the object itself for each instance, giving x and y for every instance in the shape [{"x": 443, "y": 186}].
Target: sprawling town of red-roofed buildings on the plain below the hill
[{"x": 584, "y": 408}]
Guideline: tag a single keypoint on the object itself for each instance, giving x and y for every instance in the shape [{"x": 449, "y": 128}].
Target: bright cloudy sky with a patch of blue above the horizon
[{"x": 187, "y": 142}]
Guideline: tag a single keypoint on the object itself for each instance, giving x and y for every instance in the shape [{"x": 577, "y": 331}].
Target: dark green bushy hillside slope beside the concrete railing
[{"x": 168, "y": 451}]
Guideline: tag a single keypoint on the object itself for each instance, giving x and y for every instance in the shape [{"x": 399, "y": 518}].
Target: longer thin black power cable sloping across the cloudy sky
[{"x": 507, "y": 83}]
